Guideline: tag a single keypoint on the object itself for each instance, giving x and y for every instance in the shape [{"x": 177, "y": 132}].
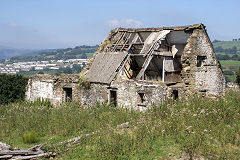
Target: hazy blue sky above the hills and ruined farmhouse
[{"x": 41, "y": 24}]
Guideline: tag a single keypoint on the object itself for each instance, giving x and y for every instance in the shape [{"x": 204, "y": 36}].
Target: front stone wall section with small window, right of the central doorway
[{"x": 127, "y": 93}]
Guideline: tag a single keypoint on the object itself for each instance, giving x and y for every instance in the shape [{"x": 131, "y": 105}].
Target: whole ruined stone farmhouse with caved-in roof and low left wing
[{"x": 138, "y": 68}]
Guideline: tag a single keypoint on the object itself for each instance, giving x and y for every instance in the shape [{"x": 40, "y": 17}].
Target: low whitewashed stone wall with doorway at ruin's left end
[{"x": 52, "y": 88}]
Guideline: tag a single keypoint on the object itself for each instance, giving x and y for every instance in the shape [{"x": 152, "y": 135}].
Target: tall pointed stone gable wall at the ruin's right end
[{"x": 207, "y": 78}]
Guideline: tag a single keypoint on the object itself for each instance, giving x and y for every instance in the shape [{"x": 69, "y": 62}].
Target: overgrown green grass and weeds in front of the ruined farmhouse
[{"x": 197, "y": 126}]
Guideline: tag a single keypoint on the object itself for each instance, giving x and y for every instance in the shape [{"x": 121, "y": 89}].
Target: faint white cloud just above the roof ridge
[{"x": 124, "y": 23}]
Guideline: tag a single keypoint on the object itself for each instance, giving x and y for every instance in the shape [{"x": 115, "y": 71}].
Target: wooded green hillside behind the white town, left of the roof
[{"x": 57, "y": 54}]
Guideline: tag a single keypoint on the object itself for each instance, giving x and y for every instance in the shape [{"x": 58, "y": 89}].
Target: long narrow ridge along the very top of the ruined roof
[{"x": 195, "y": 26}]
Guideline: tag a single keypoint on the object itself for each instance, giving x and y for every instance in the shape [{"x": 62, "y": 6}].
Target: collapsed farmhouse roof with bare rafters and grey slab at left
[{"x": 141, "y": 45}]
